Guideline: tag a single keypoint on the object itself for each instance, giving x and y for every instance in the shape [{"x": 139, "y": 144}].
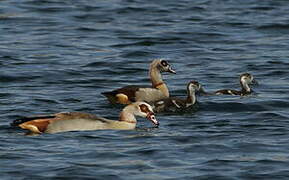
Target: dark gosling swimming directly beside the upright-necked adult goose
[{"x": 174, "y": 104}]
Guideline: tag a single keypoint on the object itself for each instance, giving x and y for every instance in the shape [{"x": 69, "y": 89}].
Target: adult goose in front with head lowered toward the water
[{"x": 77, "y": 121}]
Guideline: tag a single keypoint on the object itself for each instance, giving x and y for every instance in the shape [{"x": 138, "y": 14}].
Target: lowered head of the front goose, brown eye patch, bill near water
[{"x": 143, "y": 109}]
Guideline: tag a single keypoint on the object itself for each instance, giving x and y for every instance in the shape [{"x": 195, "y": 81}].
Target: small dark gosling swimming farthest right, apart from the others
[{"x": 245, "y": 80}]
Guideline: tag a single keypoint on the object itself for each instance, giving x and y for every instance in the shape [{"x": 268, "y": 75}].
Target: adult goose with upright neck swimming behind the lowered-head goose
[{"x": 132, "y": 93}]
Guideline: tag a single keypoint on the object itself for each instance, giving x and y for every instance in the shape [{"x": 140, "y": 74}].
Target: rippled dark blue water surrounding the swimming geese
[{"x": 60, "y": 55}]
